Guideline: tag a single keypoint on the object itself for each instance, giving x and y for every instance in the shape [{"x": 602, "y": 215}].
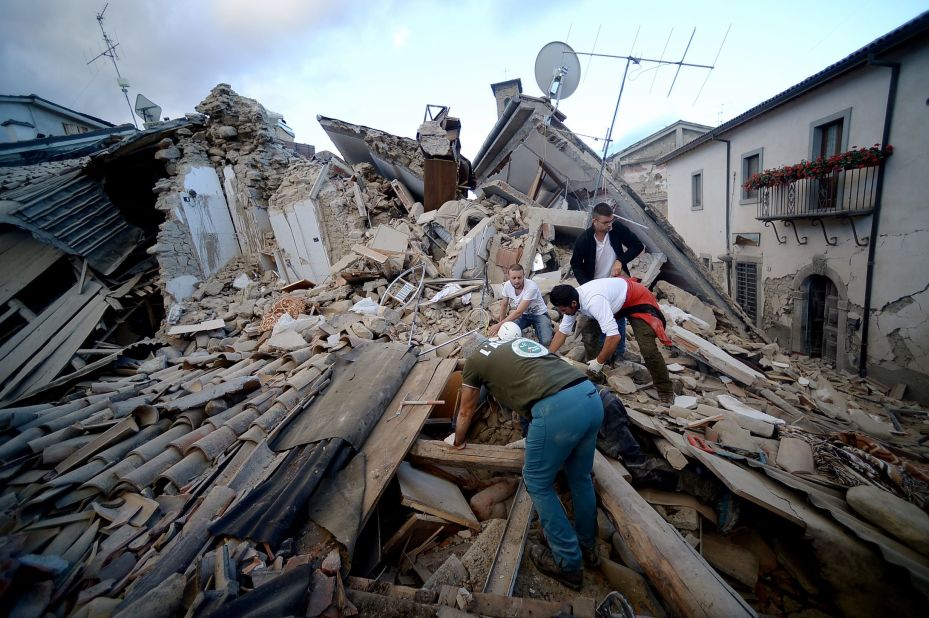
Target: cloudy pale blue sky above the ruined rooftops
[{"x": 380, "y": 63}]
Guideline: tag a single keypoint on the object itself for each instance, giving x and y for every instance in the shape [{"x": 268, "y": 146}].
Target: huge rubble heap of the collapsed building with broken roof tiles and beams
[{"x": 275, "y": 447}]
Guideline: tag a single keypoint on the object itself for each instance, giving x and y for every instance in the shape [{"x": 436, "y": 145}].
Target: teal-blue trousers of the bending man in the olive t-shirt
[{"x": 563, "y": 433}]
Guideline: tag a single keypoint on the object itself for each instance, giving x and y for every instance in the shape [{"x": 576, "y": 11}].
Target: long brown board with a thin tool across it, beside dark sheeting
[{"x": 390, "y": 440}]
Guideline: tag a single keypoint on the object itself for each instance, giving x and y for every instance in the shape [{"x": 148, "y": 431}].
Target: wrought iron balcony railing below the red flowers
[{"x": 845, "y": 193}]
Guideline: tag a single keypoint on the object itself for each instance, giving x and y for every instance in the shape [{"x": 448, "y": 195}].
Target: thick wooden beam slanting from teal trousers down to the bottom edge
[{"x": 680, "y": 575}]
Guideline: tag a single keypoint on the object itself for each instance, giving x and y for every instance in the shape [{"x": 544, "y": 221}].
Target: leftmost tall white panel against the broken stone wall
[{"x": 206, "y": 214}]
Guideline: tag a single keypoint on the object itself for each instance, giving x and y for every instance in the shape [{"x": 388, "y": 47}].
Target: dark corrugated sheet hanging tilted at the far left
[{"x": 72, "y": 213}]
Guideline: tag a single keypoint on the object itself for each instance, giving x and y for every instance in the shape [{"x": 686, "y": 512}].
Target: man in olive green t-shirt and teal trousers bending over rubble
[{"x": 566, "y": 413}]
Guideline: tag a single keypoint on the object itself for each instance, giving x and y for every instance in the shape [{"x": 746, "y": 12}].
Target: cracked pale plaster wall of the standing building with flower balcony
[{"x": 899, "y": 340}]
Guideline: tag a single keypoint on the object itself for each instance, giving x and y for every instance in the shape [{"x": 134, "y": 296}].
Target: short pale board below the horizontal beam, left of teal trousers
[{"x": 430, "y": 494}]
